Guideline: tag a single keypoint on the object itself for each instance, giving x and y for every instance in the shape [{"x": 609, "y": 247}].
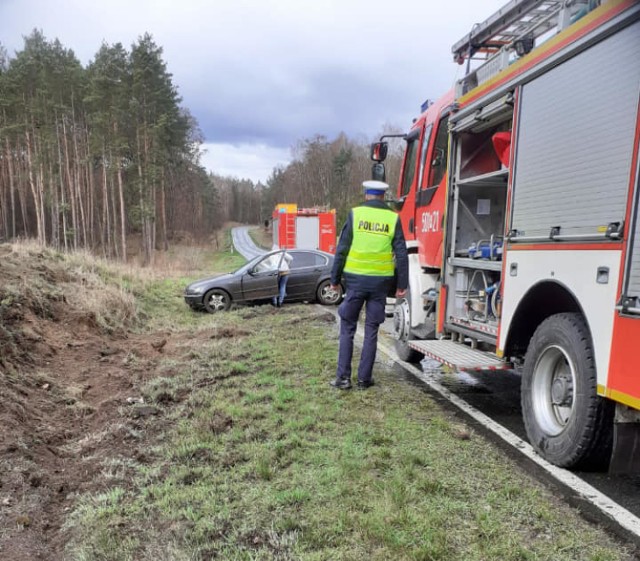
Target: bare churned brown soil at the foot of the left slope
[{"x": 78, "y": 407}]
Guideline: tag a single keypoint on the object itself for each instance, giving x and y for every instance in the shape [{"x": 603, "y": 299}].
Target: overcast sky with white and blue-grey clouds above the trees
[{"x": 259, "y": 75}]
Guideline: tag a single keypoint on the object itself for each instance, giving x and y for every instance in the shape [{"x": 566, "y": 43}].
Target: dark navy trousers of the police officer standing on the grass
[{"x": 374, "y": 301}]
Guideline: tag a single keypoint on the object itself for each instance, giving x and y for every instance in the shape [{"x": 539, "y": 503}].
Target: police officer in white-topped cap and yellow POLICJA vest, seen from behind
[{"x": 370, "y": 239}]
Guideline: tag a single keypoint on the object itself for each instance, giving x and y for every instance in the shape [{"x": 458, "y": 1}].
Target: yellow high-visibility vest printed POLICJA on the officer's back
[{"x": 371, "y": 251}]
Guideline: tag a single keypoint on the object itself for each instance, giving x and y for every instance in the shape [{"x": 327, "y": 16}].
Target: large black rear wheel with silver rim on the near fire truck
[{"x": 566, "y": 421}]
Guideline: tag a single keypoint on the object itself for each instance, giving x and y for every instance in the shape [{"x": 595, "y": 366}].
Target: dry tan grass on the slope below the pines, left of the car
[{"x": 110, "y": 295}]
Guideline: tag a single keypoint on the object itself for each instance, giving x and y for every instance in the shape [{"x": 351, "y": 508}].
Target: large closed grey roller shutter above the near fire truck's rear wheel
[{"x": 575, "y": 140}]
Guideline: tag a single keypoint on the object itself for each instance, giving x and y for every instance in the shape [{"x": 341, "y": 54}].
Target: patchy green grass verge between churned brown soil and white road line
[{"x": 258, "y": 459}]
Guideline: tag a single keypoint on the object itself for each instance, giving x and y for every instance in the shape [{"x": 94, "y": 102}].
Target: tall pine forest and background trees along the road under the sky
[{"x": 94, "y": 157}]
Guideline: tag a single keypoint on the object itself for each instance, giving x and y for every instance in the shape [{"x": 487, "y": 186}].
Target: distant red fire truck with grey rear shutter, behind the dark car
[{"x": 304, "y": 228}]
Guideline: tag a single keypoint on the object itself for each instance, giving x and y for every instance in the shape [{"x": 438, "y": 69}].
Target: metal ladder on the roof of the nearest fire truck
[{"x": 515, "y": 27}]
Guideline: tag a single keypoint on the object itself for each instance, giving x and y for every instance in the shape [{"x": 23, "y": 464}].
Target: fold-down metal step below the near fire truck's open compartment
[{"x": 459, "y": 356}]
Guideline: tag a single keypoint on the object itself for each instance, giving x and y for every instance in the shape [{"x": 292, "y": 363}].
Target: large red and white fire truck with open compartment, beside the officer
[{"x": 519, "y": 201}]
